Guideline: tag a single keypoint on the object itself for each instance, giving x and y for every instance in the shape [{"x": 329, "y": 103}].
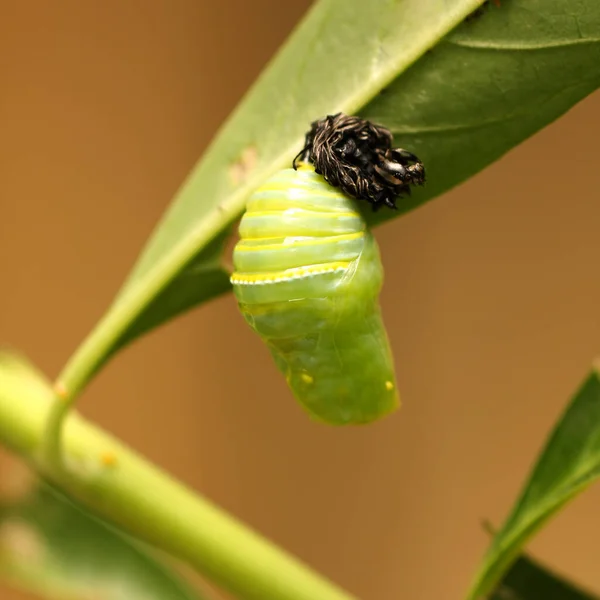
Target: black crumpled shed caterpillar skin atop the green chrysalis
[{"x": 357, "y": 156}]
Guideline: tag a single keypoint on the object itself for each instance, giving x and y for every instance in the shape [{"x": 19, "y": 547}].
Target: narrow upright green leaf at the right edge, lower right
[{"x": 569, "y": 463}]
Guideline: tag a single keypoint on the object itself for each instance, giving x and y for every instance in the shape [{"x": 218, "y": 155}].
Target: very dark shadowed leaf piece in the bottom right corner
[{"x": 529, "y": 580}]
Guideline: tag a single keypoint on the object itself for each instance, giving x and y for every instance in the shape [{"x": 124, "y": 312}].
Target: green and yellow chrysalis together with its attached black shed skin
[{"x": 308, "y": 273}]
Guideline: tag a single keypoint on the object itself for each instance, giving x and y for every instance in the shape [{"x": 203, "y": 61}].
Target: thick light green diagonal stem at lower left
[{"x": 118, "y": 484}]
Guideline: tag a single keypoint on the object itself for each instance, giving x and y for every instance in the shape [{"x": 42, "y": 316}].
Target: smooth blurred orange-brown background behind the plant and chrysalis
[{"x": 491, "y": 299}]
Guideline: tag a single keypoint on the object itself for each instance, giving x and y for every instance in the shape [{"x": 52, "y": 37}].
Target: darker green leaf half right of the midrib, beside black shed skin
[{"x": 489, "y": 85}]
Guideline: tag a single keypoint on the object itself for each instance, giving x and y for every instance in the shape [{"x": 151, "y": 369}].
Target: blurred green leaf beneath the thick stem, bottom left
[{"x": 50, "y": 546}]
